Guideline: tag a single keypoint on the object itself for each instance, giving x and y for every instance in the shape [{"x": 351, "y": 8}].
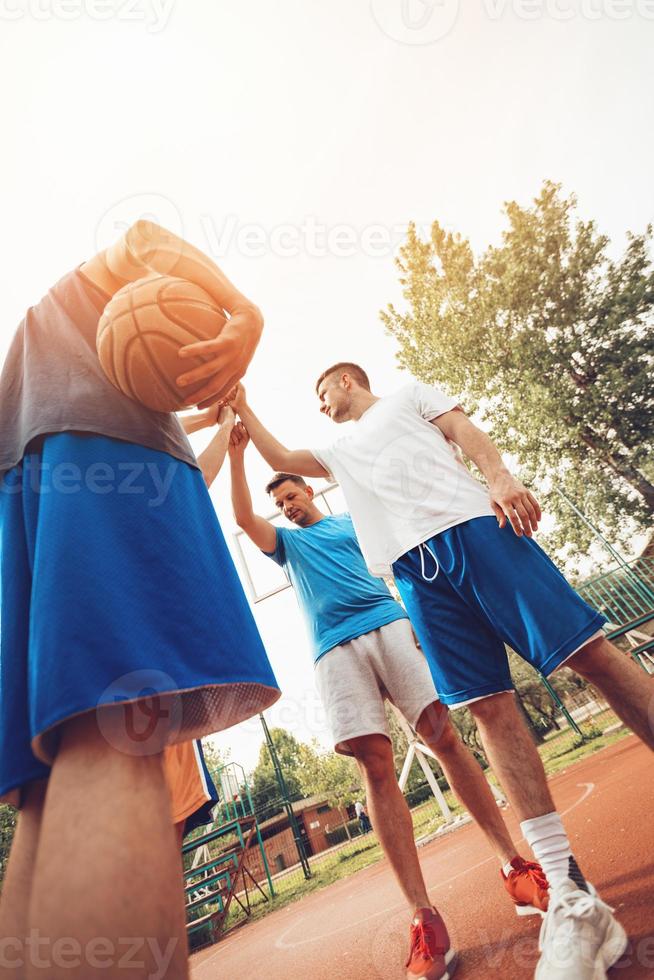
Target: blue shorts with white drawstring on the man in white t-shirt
[{"x": 476, "y": 588}]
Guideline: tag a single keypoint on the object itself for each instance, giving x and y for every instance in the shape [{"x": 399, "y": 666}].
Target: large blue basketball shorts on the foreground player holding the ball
[{"x": 118, "y": 595}]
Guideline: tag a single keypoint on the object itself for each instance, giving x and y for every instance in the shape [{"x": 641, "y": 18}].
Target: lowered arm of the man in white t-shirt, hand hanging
[{"x": 509, "y": 498}]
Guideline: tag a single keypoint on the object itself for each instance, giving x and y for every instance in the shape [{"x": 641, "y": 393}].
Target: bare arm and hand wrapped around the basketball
[{"x": 147, "y": 249}]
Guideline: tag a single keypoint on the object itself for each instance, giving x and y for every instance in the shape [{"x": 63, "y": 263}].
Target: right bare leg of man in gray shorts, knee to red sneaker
[{"x": 465, "y": 776}]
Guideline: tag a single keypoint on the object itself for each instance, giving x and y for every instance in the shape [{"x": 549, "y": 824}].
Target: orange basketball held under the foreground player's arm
[{"x": 140, "y": 334}]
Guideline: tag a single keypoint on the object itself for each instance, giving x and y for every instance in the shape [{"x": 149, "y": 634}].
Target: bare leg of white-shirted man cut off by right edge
[{"x": 627, "y": 688}]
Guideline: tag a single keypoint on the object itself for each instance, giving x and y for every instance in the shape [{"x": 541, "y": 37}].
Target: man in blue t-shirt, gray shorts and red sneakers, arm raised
[{"x": 364, "y": 652}]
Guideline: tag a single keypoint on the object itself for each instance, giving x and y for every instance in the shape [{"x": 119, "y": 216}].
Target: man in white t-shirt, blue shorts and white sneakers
[{"x": 473, "y": 580}]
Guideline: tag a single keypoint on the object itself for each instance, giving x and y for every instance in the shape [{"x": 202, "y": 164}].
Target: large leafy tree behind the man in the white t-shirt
[{"x": 551, "y": 340}]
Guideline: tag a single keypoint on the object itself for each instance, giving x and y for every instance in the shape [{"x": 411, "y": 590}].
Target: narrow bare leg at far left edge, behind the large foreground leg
[{"x": 17, "y": 886}]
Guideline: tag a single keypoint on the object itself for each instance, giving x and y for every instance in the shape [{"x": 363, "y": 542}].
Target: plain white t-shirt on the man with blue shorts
[{"x": 403, "y": 480}]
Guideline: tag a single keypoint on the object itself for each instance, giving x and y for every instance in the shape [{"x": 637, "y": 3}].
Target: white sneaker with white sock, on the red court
[{"x": 579, "y": 938}]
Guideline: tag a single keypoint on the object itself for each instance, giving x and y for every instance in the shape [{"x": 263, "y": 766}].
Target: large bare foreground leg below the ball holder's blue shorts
[{"x": 107, "y": 868}]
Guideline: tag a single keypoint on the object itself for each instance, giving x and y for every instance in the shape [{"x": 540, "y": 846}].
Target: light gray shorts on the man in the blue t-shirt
[{"x": 356, "y": 678}]
